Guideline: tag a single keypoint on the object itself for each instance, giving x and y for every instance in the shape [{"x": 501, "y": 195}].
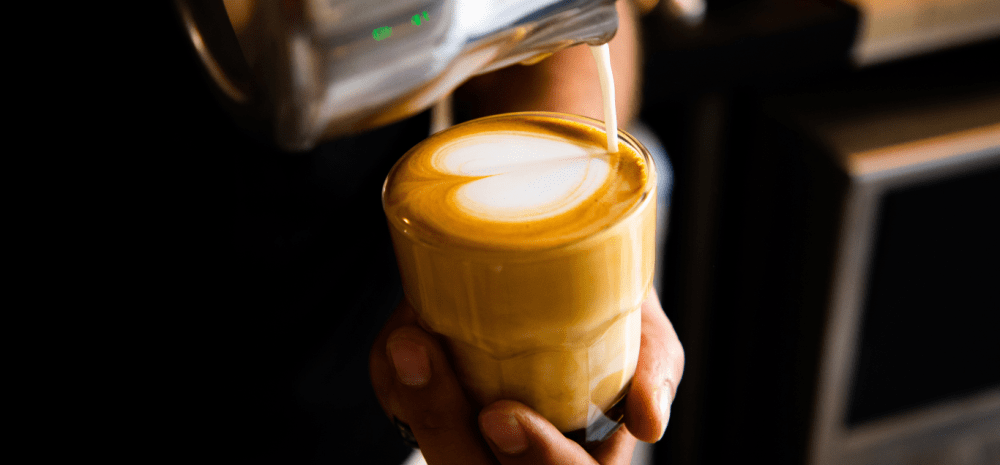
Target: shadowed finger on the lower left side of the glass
[{"x": 417, "y": 386}]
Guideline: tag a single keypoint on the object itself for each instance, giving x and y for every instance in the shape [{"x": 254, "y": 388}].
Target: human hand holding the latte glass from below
[{"x": 415, "y": 384}]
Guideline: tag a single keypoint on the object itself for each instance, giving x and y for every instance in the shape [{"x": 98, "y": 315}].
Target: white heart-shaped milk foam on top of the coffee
[{"x": 524, "y": 176}]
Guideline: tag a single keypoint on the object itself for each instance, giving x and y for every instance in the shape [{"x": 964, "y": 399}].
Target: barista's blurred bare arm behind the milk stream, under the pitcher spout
[{"x": 567, "y": 81}]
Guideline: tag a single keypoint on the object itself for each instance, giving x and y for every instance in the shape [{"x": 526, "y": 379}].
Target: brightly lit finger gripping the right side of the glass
[{"x": 661, "y": 364}]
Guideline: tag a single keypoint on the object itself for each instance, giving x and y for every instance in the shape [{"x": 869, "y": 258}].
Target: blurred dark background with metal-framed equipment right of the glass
[{"x": 832, "y": 262}]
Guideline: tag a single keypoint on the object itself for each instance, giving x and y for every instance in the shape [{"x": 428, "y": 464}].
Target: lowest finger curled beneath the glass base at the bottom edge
[{"x": 518, "y": 435}]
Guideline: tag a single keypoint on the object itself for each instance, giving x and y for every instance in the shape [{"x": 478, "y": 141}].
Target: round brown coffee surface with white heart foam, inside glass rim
[{"x": 515, "y": 183}]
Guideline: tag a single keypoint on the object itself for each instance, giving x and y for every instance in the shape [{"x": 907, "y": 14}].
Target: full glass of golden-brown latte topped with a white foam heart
[{"x": 529, "y": 248}]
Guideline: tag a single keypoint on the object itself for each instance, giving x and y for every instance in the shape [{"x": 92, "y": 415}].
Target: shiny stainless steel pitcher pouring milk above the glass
[{"x": 307, "y": 70}]
